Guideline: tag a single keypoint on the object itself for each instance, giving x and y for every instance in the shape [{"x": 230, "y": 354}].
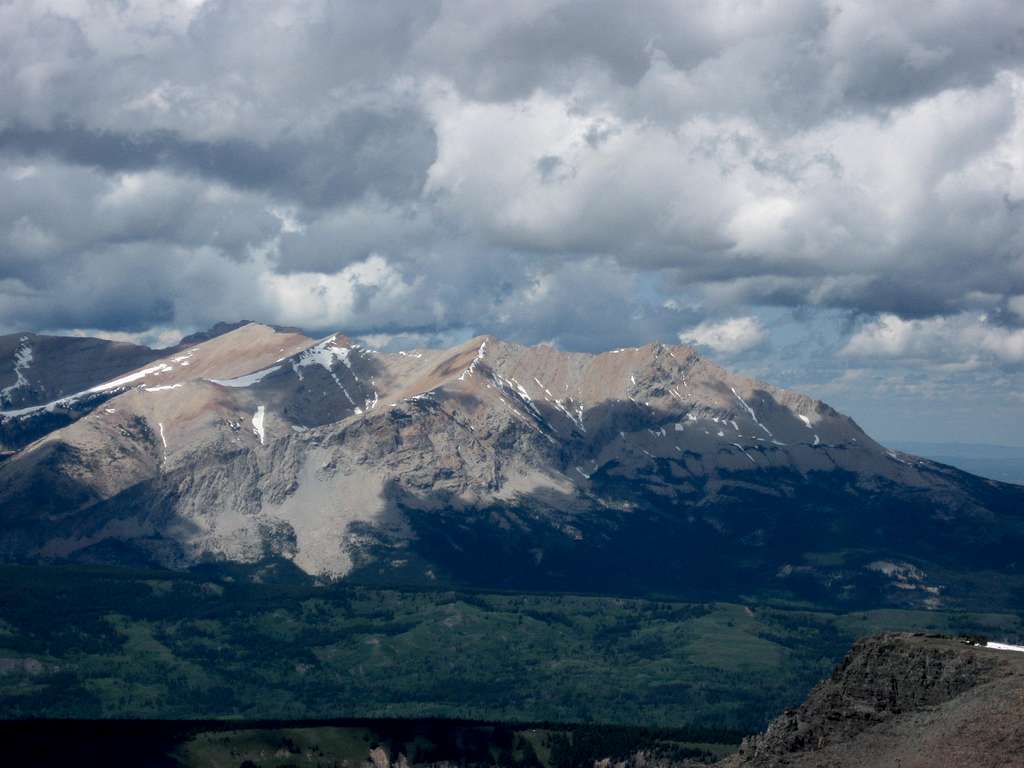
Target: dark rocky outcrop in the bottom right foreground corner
[{"x": 904, "y": 701}]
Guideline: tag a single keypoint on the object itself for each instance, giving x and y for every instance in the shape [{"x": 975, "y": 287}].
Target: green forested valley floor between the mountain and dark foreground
[{"x": 118, "y": 644}]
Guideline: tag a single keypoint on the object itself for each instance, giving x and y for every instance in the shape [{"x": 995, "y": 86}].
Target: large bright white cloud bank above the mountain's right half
[{"x": 859, "y": 212}]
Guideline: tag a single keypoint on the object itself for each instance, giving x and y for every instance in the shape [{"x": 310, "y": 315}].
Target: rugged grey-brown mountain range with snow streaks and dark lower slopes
[{"x": 645, "y": 470}]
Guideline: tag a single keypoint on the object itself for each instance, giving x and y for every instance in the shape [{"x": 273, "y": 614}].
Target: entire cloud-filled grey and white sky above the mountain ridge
[{"x": 826, "y": 195}]
